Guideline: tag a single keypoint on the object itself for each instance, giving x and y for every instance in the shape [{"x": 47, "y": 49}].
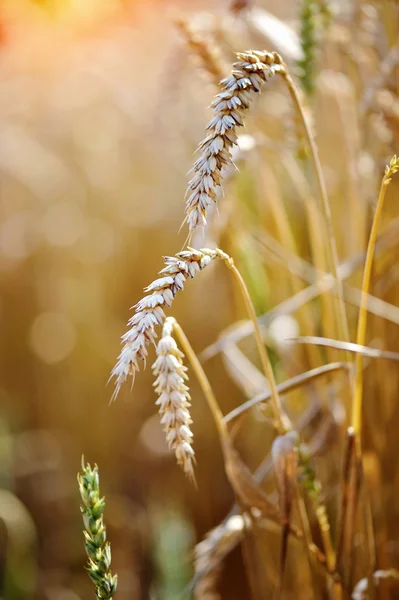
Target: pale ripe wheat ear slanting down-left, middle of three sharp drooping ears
[{"x": 149, "y": 311}]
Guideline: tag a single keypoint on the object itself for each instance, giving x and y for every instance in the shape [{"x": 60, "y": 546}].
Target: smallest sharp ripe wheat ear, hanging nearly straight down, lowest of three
[{"x": 174, "y": 398}]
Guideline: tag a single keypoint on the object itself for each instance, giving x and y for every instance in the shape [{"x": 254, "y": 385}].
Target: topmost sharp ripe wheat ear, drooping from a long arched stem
[{"x": 229, "y": 107}]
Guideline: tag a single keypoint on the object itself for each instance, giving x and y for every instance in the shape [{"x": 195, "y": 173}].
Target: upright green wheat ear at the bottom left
[{"x": 97, "y": 548}]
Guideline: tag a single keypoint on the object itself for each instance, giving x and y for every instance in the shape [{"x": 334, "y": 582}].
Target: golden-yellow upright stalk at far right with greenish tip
[{"x": 356, "y": 419}]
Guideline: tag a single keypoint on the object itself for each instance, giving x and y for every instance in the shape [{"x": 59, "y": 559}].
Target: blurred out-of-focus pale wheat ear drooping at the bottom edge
[{"x": 210, "y": 553}]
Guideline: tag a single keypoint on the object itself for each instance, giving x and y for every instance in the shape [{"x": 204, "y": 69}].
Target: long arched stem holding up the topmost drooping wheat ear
[{"x": 341, "y": 316}]
